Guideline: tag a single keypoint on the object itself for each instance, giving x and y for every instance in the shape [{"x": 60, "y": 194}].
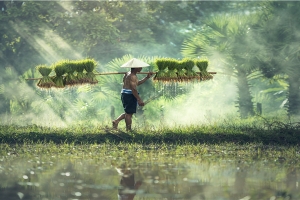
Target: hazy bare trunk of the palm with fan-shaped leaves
[{"x": 245, "y": 103}]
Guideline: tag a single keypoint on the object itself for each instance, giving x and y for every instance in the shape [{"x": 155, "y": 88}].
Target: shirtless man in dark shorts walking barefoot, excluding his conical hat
[{"x": 130, "y": 97}]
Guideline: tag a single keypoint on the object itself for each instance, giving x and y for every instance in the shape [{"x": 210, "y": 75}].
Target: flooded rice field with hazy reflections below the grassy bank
[{"x": 107, "y": 173}]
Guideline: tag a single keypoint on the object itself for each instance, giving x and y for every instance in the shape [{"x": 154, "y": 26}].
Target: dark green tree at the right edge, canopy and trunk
[{"x": 280, "y": 38}]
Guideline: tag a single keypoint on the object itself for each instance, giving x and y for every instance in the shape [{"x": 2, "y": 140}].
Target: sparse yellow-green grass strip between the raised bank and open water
[{"x": 161, "y": 152}]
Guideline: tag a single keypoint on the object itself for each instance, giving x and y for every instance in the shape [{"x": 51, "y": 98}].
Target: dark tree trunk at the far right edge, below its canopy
[{"x": 293, "y": 94}]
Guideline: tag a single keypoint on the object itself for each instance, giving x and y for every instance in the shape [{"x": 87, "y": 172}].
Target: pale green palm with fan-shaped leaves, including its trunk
[{"x": 225, "y": 39}]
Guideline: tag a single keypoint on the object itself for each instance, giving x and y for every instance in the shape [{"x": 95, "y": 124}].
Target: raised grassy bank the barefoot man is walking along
[{"x": 242, "y": 132}]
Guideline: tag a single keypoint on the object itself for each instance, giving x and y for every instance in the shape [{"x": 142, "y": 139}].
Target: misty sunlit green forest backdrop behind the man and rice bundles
[{"x": 249, "y": 44}]
